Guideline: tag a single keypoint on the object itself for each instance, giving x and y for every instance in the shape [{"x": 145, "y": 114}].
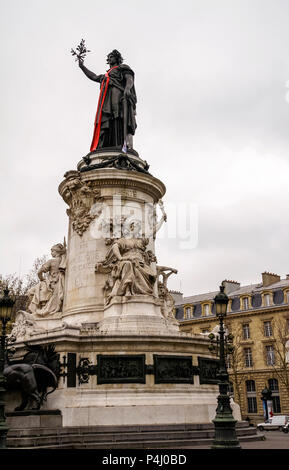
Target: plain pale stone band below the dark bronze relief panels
[{"x": 167, "y": 405}]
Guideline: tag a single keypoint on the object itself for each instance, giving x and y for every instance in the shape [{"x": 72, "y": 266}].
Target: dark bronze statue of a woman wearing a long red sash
[{"x": 115, "y": 116}]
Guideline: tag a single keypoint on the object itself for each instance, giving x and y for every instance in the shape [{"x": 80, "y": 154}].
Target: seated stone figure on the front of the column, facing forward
[{"x": 129, "y": 266}]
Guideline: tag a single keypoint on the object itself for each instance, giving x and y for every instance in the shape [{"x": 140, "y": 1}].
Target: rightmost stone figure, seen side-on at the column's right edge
[{"x": 167, "y": 299}]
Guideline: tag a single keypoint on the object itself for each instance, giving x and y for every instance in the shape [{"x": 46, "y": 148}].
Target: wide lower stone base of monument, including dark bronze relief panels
[{"x": 126, "y": 379}]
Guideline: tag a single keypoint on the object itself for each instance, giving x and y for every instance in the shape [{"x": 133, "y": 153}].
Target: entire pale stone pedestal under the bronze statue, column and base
[{"x": 133, "y": 331}]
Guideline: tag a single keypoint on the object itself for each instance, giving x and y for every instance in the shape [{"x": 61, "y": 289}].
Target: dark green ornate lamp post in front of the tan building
[{"x": 224, "y": 422}]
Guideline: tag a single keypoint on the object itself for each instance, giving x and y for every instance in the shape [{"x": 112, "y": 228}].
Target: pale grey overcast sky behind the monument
[{"x": 213, "y": 118}]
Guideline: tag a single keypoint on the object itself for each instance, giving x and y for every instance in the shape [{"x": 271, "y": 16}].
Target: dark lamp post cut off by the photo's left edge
[{"x": 6, "y": 307}]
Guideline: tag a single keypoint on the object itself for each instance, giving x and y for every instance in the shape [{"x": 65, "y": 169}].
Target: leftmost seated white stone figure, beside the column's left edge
[{"x": 47, "y": 295}]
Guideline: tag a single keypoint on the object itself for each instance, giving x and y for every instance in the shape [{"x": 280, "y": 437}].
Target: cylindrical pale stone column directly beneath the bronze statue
[{"x": 95, "y": 196}]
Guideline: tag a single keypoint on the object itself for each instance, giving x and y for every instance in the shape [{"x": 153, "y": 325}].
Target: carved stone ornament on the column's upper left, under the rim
[{"x": 80, "y": 196}]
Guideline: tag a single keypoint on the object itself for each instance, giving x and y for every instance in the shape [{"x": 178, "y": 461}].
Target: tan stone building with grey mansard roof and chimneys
[{"x": 258, "y": 318}]
